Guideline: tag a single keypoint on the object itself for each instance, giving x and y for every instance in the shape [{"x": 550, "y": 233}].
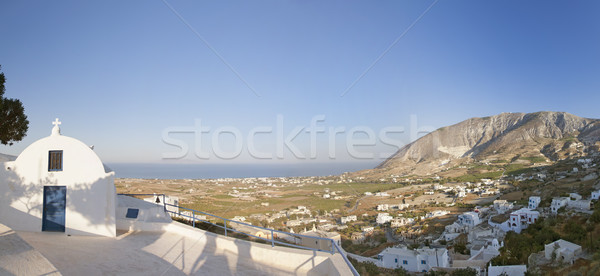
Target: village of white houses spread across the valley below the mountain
[{"x": 413, "y": 225}]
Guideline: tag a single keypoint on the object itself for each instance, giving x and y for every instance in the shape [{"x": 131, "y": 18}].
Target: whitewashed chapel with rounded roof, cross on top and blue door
[{"x": 58, "y": 184}]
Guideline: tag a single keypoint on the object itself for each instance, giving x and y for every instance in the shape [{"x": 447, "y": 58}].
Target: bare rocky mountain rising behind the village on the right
[{"x": 547, "y": 136}]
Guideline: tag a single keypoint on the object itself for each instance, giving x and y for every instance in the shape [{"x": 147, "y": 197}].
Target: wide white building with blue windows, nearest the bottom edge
[{"x": 417, "y": 260}]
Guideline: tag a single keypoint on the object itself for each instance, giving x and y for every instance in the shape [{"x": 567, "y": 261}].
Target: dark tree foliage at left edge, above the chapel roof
[{"x": 13, "y": 121}]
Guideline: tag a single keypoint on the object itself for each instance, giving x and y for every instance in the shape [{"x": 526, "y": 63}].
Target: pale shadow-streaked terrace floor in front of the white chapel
[{"x": 150, "y": 253}]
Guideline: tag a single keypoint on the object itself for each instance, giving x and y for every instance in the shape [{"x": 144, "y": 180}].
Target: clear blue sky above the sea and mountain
[{"x": 118, "y": 73}]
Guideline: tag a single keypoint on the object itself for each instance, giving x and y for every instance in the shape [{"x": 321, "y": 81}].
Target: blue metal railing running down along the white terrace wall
[{"x": 276, "y": 236}]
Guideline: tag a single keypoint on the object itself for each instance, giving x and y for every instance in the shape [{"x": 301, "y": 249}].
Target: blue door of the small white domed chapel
[{"x": 53, "y": 218}]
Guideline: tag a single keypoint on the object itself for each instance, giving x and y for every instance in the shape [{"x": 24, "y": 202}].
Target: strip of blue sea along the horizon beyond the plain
[{"x": 212, "y": 171}]
